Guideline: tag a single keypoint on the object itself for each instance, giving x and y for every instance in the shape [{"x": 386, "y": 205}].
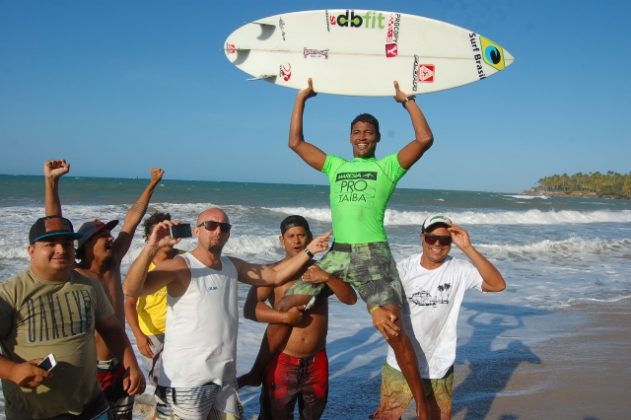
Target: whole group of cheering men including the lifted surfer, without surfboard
[{"x": 73, "y": 303}]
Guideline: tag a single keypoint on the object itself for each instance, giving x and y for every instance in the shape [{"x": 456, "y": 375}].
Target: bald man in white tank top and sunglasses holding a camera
[{"x": 198, "y": 373}]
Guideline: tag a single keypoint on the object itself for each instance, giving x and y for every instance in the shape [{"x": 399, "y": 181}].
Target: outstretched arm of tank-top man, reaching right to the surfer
[{"x": 274, "y": 275}]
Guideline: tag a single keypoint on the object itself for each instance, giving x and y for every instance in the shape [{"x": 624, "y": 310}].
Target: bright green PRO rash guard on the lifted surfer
[{"x": 359, "y": 193}]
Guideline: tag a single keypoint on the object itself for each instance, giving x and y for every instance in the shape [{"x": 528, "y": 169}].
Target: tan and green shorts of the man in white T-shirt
[{"x": 396, "y": 395}]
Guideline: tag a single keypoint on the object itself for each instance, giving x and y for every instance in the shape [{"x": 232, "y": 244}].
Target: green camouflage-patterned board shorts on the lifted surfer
[{"x": 369, "y": 268}]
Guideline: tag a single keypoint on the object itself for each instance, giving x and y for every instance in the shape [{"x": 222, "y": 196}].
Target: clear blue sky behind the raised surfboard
[{"x": 117, "y": 87}]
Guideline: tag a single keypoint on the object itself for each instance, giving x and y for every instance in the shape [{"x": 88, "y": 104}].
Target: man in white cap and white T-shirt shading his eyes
[{"x": 435, "y": 283}]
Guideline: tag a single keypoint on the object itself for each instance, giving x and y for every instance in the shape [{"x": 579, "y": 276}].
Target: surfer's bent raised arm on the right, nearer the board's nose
[{"x": 424, "y": 138}]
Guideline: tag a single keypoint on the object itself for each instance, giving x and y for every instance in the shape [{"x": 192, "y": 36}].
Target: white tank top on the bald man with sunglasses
[{"x": 200, "y": 342}]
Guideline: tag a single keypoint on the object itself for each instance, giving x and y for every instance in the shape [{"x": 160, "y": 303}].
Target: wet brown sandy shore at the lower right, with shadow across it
[{"x": 582, "y": 373}]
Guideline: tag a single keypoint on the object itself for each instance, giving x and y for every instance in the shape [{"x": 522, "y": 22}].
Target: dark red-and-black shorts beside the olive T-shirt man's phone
[{"x": 110, "y": 374}]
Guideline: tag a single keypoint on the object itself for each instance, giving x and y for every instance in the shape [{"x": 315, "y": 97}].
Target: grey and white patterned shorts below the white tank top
[{"x": 199, "y": 403}]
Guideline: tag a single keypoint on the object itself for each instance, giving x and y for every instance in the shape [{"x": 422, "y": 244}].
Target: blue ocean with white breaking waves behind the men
[{"x": 553, "y": 252}]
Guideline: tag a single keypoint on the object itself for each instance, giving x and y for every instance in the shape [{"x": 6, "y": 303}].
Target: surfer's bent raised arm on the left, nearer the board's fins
[{"x": 307, "y": 151}]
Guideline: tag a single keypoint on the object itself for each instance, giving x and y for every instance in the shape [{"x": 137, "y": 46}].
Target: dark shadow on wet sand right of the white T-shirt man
[{"x": 490, "y": 369}]
